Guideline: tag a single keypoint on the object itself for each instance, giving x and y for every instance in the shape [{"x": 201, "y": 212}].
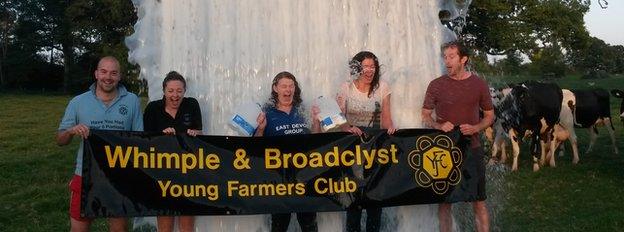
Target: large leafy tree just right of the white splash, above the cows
[{"x": 499, "y": 27}]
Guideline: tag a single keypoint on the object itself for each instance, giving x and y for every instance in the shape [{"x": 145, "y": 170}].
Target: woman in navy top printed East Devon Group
[{"x": 284, "y": 117}]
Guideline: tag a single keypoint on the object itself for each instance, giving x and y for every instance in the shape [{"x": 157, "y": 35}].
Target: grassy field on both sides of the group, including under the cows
[{"x": 586, "y": 197}]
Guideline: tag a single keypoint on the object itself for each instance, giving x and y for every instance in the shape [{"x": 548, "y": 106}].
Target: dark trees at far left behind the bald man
[{"x": 72, "y": 34}]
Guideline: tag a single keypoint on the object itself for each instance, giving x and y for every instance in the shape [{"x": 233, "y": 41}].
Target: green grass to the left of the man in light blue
[{"x": 34, "y": 171}]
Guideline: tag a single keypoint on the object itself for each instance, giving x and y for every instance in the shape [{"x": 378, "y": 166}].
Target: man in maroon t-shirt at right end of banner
[{"x": 457, "y": 98}]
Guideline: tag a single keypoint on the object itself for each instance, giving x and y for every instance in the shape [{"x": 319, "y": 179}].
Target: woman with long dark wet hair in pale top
[{"x": 365, "y": 101}]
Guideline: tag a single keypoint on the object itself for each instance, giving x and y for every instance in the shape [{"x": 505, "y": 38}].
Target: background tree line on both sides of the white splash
[{"x": 55, "y": 44}]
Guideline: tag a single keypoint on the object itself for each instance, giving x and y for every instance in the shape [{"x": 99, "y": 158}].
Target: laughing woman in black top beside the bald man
[{"x": 170, "y": 115}]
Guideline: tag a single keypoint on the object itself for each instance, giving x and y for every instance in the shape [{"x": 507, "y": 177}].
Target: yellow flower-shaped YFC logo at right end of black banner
[{"x": 436, "y": 162}]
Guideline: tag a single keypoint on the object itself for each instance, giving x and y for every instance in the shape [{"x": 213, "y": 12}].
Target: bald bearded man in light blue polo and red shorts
[{"x": 107, "y": 106}]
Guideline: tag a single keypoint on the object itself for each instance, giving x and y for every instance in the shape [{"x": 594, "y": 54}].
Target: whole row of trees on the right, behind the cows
[{"x": 550, "y": 34}]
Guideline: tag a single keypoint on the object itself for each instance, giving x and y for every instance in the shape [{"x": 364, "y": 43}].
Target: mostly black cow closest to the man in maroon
[{"x": 532, "y": 107}]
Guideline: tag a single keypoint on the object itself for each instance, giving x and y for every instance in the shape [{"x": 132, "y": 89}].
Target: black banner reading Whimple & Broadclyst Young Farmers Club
[{"x": 143, "y": 174}]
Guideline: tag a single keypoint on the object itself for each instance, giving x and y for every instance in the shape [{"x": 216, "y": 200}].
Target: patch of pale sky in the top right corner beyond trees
[{"x": 606, "y": 24}]
